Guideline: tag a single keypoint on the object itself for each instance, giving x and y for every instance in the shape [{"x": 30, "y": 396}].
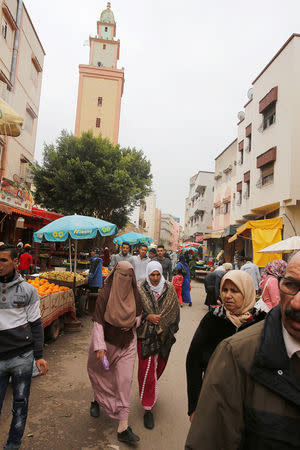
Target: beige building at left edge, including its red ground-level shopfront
[{"x": 21, "y": 70}]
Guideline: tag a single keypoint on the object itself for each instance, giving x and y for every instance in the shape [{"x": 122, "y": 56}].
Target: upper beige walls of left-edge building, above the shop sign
[{"x": 21, "y": 69}]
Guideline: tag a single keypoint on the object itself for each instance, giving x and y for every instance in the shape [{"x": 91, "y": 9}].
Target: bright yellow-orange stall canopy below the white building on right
[{"x": 263, "y": 233}]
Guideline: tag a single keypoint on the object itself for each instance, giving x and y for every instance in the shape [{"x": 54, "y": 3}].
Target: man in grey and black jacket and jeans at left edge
[{"x": 21, "y": 340}]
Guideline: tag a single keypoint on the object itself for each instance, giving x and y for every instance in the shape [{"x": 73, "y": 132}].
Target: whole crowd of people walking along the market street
[{"x": 242, "y": 366}]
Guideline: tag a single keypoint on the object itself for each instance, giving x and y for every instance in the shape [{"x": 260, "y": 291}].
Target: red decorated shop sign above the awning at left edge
[{"x": 15, "y": 194}]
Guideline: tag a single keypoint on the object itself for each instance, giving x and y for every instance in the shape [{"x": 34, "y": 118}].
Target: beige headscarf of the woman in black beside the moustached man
[{"x": 245, "y": 285}]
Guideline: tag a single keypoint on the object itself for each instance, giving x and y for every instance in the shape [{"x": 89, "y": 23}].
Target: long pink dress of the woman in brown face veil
[{"x": 112, "y": 388}]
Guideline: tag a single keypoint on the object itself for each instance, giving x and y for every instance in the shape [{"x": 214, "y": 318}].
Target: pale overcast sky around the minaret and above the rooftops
[{"x": 188, "y": 67}]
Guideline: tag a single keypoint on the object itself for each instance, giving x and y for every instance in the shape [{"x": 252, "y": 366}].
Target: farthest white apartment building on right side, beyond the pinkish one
[{"x": 199, "y": 205}]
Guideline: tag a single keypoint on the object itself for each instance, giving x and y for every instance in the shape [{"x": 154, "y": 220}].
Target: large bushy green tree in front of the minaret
[{"x": 90, "y": 176}]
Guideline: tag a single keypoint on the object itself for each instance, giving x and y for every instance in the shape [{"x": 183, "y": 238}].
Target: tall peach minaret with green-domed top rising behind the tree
[{"x": 101, "y": 83}]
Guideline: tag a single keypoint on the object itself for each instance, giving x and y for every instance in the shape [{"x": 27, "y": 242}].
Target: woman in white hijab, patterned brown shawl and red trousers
[{"x": 160, "y": 321}]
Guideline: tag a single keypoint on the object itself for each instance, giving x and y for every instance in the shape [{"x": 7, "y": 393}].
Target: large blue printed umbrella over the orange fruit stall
[{"x": 74, "y": 227}]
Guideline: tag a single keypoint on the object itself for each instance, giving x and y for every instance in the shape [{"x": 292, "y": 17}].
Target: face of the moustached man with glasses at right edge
[{"x": 290, "y": 304}]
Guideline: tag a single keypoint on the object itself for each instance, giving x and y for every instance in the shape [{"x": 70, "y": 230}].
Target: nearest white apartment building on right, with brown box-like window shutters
[{"x": 268, "y": 160}]
